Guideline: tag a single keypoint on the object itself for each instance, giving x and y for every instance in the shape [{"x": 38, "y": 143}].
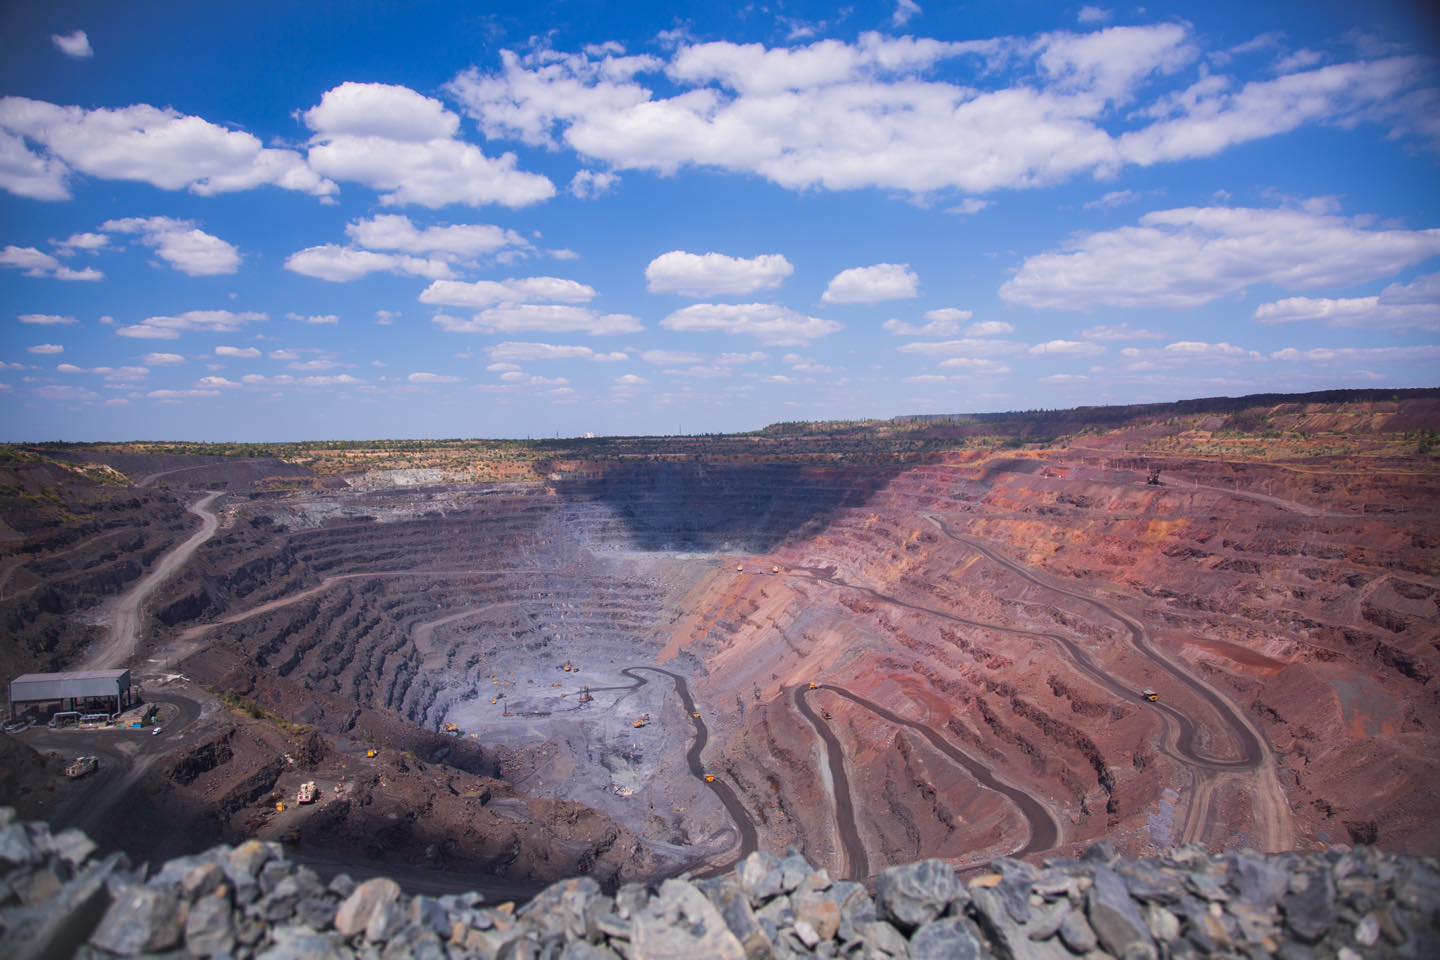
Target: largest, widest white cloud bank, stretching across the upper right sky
[{"x": 1022, "y": 113}]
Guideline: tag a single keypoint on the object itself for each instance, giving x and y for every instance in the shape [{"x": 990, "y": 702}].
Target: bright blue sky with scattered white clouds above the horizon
[{"x": 438, "y": 219}]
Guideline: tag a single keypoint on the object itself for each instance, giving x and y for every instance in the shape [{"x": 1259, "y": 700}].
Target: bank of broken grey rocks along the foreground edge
[{"x": 58, "y": 900}]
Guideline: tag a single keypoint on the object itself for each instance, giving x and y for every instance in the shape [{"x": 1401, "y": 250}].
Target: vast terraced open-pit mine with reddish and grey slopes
[{"x": 499, "y": 664}]
